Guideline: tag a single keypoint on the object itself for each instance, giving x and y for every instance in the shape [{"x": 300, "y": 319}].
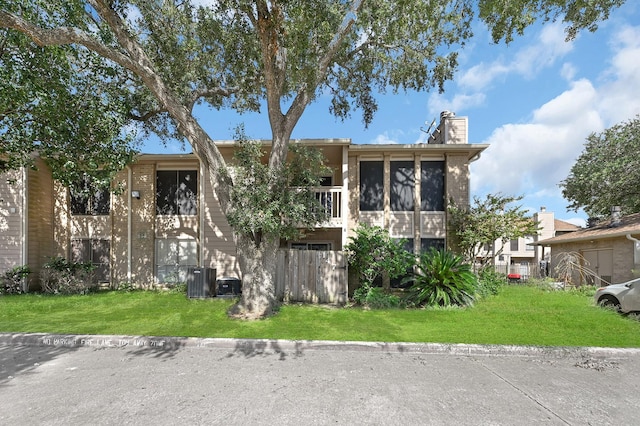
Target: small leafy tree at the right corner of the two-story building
[{"x": 477, "y": 228}]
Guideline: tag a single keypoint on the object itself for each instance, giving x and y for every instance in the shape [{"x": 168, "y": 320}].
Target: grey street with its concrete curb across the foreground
[{"x": 114, "y": 380}]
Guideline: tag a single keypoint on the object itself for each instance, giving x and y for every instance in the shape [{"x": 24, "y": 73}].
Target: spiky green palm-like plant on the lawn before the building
[{"x": 442, "y": 279}]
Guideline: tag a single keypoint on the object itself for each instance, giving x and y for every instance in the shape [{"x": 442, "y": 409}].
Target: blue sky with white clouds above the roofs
[{"x": 533, "y": 101}]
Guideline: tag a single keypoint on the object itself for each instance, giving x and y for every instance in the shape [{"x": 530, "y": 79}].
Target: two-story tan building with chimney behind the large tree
[{"x": 164, "y": 218}]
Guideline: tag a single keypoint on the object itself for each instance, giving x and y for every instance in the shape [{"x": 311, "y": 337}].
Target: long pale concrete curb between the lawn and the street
[{"x": 259, "y": 346}]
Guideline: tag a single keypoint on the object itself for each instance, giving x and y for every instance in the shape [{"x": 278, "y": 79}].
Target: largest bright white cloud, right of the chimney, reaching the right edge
[{"x": 532, "y": 158}]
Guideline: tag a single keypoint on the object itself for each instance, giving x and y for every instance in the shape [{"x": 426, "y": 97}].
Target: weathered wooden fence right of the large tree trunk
[{"x": 311, "y": 276}]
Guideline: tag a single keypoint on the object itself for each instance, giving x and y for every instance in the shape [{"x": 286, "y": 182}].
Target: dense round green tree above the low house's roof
[{"x": 607, "y": 173}]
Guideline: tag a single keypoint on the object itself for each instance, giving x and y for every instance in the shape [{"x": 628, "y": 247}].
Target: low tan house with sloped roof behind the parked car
[{"x": 610, "y": 250}]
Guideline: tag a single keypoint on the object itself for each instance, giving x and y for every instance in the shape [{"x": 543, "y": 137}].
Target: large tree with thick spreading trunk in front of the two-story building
[{"x": 281, "y": 54}]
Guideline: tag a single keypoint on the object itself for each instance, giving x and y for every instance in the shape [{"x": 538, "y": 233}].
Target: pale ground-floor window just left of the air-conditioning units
[{"x": 173, "y": 259}]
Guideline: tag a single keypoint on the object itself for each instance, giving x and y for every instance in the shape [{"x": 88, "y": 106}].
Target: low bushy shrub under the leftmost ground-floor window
[{"x": 60, "y": 276}]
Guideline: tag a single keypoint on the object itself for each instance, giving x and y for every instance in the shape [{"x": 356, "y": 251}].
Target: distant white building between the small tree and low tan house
[{"x": 523, "y": 256}]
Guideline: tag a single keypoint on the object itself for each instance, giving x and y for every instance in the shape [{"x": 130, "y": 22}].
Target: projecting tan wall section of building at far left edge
[{"x": 26, "y": 219}]
